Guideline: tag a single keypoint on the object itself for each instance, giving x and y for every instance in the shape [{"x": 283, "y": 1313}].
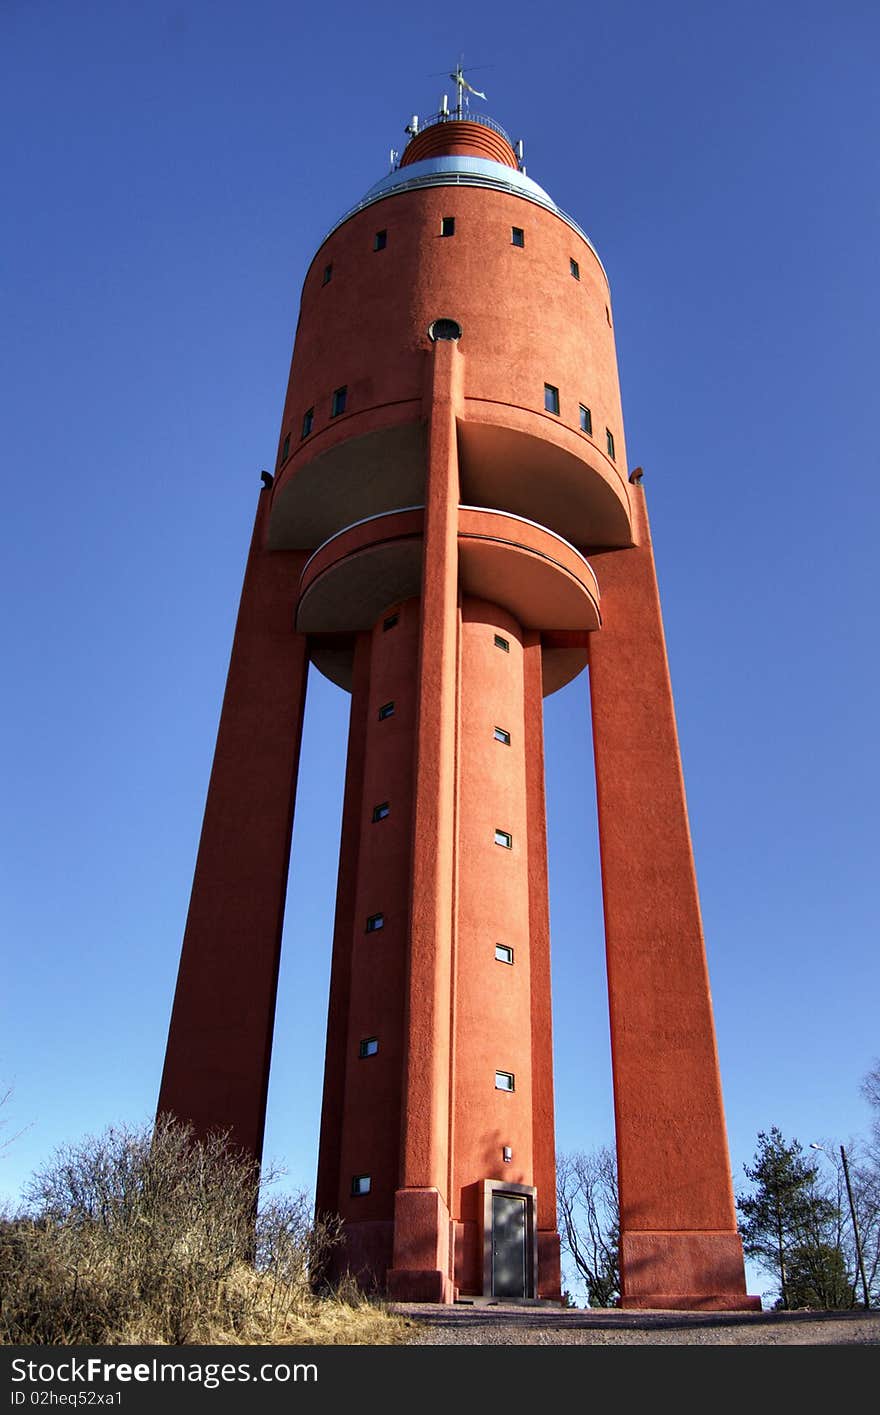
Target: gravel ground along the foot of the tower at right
[{"x": 509, "y": 1325}]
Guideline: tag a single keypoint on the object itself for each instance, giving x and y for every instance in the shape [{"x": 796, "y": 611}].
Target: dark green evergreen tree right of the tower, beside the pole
[{"x": 785, "y": 1222}]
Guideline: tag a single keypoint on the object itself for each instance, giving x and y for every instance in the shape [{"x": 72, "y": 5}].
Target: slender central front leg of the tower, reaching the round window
[{"x": 422, "y": 1220}]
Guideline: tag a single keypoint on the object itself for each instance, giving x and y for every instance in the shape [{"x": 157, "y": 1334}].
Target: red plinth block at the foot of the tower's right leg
[{"x": 684, "y": 1273}]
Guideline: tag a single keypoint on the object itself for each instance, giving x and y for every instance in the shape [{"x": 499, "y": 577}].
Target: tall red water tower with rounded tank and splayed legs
[{"x": 452, "y": 536}]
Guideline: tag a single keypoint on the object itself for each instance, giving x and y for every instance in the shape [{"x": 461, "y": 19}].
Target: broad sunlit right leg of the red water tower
[{"x": 678, "y": 1243}]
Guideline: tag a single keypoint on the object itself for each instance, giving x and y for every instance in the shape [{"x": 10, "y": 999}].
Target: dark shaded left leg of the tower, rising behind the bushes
[{"x": 220, "y": 1041}]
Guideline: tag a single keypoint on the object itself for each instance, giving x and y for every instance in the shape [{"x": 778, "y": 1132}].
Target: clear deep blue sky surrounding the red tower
[{"x": 169, "y": 172}]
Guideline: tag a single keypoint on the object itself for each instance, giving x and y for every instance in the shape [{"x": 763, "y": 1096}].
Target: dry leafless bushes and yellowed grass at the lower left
[{"x": 148, "y": 1237}]
